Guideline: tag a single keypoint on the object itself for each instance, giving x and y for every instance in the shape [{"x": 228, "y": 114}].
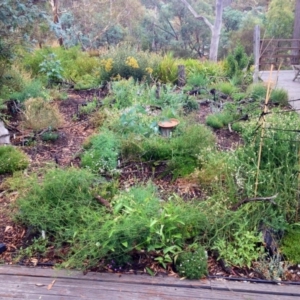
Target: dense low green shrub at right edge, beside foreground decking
[{"x": 290, "y": 247}]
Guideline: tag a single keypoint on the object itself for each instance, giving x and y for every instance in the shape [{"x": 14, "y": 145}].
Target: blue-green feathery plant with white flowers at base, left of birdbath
[{"x": 102, "y": 156}]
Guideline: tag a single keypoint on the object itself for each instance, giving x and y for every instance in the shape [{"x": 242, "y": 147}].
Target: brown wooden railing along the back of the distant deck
[{"x": 279, "y": 52}]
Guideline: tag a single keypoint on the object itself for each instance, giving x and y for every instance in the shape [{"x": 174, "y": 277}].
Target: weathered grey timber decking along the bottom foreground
[{"x": 33, "y": 283}]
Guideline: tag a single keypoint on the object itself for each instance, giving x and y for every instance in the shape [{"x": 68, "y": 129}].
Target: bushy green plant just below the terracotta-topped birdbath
[{"x": 180, "y": 152}]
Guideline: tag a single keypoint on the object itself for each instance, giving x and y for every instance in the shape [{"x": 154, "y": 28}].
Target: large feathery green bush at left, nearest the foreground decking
[{"x": 54, "y": 204}]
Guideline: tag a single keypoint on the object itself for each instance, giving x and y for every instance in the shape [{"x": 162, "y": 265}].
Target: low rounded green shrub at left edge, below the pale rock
[{"x": 12, "y": 159}]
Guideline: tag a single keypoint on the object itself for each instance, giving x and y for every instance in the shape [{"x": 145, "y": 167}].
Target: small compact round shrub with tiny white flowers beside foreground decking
[{"x": 192, "y": 264}]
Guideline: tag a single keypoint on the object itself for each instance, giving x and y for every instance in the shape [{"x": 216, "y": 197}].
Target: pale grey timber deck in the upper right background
[{"x": 284, "y": 79}]
